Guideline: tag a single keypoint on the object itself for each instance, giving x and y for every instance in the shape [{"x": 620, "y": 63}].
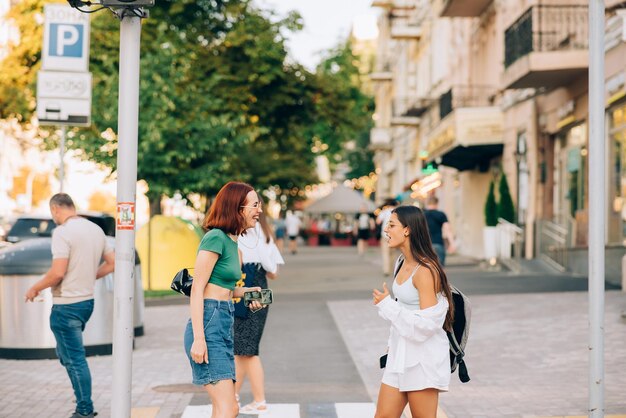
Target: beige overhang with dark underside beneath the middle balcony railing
[{"x": 468, "y": 138}]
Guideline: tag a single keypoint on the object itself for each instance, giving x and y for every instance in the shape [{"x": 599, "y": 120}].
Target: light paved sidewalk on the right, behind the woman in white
[{"x": 527, "y": 354}]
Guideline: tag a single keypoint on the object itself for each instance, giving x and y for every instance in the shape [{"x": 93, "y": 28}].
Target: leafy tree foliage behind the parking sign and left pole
[{"x": 219, "y": 100}]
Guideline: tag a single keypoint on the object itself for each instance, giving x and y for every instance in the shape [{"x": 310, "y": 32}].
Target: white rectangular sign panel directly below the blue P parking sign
[{"x": 64, "y": 98}]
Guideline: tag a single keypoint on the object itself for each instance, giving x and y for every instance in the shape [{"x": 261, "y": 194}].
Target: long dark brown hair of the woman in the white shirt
[{"x": 423, "y": 252}]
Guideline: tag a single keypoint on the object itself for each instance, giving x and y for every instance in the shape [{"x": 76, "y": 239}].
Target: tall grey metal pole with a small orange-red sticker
[{"x": 128, "y": 116}]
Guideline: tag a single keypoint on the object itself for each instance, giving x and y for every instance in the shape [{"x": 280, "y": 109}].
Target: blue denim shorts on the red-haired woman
[{"x": 218, "y": 333}]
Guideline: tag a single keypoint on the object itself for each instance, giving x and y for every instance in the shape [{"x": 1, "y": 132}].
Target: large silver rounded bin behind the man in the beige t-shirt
[{"x": 25, "y": 327}]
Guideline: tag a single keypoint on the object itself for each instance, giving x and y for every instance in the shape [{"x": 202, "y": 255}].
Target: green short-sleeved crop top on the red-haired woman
[{"x": 227, "y": 270}]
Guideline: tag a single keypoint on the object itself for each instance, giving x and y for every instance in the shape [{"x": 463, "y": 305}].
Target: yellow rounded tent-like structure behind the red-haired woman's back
[{"x": 174, "y": 243}]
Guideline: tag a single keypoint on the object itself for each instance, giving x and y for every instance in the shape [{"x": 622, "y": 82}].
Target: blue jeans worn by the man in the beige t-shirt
[{"x": 68, "y": 323}]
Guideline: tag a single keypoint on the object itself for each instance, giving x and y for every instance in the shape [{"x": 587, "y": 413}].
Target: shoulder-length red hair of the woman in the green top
[{"x": 225, "y": 212}]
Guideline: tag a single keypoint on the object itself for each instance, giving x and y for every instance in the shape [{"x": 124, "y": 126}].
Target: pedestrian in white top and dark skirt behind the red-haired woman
[{"x": 261, "y": 259}]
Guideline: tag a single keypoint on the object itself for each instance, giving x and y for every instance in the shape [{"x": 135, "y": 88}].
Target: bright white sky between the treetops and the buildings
[{"x": 326, "y": 23}]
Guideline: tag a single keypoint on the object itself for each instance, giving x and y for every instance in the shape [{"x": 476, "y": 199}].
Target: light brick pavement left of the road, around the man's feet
[{"x": 41, "y": 388}]
